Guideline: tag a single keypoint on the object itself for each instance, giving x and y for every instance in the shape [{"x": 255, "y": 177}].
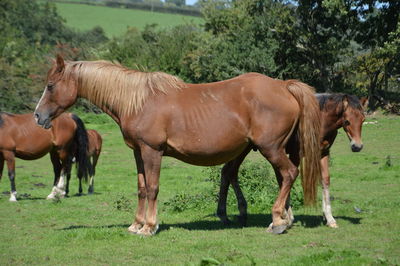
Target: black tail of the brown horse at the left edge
[{"x": 81, "y": 143}]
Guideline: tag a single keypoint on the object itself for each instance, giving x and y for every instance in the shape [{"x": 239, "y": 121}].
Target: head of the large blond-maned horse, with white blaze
[{"x": 59, "y": 94}]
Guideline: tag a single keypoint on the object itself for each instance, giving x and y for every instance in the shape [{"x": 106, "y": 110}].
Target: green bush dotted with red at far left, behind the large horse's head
[{"x": 30, "y": 31}]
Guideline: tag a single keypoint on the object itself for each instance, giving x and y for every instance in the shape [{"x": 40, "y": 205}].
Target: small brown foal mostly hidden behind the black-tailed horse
[{"x": 93, "y": 154}]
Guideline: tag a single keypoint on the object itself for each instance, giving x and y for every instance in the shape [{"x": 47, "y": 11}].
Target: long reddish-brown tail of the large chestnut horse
[{"x": 309, "y": 138}]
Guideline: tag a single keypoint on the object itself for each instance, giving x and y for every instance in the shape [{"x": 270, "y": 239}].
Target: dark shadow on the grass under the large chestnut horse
[{"x": 254, "y": 220}]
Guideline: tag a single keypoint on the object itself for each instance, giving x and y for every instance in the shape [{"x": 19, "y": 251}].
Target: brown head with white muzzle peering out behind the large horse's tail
[{"x": 353, "y": 118}]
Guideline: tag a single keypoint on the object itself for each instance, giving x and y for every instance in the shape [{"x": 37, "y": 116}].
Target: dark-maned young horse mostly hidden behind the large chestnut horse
[{"x": 338, "y": 110}]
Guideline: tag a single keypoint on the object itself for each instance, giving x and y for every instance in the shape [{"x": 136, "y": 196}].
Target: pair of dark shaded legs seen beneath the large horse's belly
[{"x": 229, "y": 174}]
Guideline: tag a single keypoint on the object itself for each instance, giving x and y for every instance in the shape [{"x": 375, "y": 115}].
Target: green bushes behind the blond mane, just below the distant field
[{"x": 152, "y": 49}]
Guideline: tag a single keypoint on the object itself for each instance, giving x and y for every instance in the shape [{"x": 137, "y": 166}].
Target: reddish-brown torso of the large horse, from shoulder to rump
[{"x": 214, "y": 122}]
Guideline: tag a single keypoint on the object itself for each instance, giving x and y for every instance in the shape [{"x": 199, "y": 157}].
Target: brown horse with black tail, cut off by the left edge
[{"x": 21, "y": 137}]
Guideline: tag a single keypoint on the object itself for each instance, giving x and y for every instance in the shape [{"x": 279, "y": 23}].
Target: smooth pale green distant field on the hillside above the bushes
[{"x": 115, "y": 21}]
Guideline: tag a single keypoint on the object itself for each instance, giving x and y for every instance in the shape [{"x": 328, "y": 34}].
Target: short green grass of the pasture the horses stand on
[{"x": 92, "y": 230}]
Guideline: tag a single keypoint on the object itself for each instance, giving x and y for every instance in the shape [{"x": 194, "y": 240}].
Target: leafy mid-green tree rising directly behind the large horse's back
[{"x": 237, "y": 40}]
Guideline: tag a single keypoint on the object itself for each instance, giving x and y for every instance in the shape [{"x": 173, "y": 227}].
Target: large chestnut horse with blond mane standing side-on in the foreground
[{"x": 202, "y": 124}]
